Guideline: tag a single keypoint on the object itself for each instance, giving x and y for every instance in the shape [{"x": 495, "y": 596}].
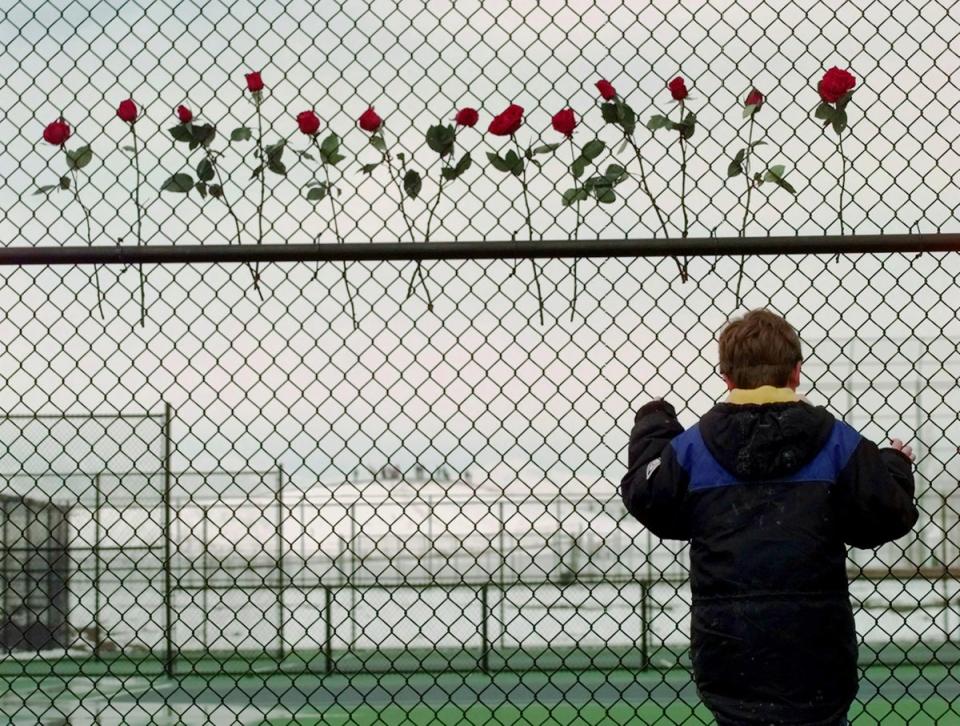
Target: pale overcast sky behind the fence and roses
[{"x": 477, "y": 383}]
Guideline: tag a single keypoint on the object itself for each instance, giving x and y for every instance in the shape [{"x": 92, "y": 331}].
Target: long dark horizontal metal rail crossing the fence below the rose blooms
[{"x": 374, "y": 251}]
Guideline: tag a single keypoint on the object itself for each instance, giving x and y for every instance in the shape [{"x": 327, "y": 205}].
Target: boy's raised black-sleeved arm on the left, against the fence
[{"x": 654, "y": 488}]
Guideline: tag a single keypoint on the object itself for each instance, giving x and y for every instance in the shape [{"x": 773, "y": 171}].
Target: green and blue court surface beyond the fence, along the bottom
[{"x": 888, "y": 697}]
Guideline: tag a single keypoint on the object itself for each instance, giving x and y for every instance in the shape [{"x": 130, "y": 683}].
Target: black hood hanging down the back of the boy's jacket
[{"x": 765, "y": 441}]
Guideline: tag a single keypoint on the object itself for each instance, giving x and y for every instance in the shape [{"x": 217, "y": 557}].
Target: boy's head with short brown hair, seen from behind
[{"x": 760, "y": 349}]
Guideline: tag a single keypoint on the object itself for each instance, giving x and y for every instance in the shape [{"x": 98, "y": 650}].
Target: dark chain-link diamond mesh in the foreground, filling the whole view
[{"x": 251, "y": 510}]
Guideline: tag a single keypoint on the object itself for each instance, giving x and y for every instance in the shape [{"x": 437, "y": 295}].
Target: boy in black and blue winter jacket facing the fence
[{"x": 768, "y": 489}]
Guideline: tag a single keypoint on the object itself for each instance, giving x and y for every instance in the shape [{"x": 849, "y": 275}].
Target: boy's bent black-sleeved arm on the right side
[{"x": 876, "y": 496}]
